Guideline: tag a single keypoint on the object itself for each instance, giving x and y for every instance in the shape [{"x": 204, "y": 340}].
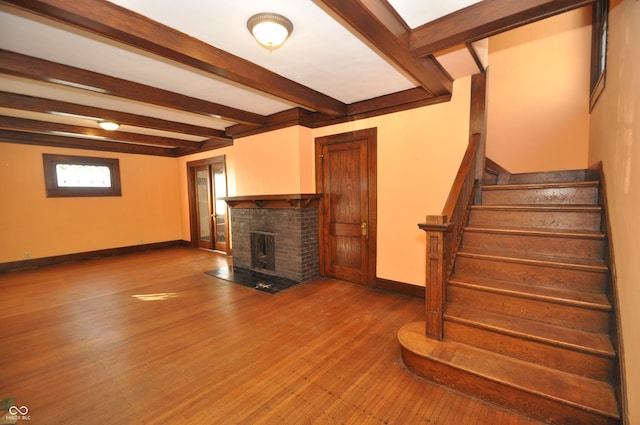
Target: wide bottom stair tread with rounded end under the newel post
[{"x": 575, "y": 390}]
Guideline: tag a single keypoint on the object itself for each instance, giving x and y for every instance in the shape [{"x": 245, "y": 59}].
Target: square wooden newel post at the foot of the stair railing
[{"x": 438, "y": 231}]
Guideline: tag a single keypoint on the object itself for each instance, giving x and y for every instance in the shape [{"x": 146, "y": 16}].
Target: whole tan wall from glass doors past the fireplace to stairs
[{"x": 418, "y": 158}]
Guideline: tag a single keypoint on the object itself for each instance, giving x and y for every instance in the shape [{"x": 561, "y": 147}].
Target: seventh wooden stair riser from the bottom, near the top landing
[{"x": 586, "y": 195}]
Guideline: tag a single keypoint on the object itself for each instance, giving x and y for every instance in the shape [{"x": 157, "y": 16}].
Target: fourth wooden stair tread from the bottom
[{"x": 595, "y": 265}]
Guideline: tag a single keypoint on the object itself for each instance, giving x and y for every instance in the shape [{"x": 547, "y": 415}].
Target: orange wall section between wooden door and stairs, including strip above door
[{"x": 418, "y": 158}]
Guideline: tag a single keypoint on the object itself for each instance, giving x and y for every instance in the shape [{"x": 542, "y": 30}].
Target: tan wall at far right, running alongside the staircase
[{"x": 615, "y": 140}]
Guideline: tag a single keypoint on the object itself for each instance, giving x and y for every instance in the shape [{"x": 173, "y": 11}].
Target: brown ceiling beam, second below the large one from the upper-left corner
[{"x": 50, "y": 106}]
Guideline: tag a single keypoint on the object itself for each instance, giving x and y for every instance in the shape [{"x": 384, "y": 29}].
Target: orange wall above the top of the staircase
[{"x": 539, "y": 98}]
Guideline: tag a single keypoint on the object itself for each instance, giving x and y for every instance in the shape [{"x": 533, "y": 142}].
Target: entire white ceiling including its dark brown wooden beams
[{"x": 186, "y": 76}]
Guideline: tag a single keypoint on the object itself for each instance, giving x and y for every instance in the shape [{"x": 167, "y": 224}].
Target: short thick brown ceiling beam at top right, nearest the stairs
[{"x": 482, "y": 20}]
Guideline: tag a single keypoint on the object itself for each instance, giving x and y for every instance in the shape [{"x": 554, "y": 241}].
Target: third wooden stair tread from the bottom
[{"x": 551, "y": 294}]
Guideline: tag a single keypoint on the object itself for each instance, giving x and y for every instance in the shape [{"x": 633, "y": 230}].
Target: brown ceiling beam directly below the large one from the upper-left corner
[{"x": 51, "y": 72}]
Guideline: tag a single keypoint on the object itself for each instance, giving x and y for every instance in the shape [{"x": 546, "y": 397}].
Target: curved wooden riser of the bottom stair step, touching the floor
[{"x": 531, "y": 404}]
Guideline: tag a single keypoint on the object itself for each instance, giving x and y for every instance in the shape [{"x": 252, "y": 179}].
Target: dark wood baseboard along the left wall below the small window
[{"x": 82, "y": 256}]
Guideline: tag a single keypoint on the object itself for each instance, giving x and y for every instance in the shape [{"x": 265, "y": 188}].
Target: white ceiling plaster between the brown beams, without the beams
[{"x": 321, "y": 54}]
